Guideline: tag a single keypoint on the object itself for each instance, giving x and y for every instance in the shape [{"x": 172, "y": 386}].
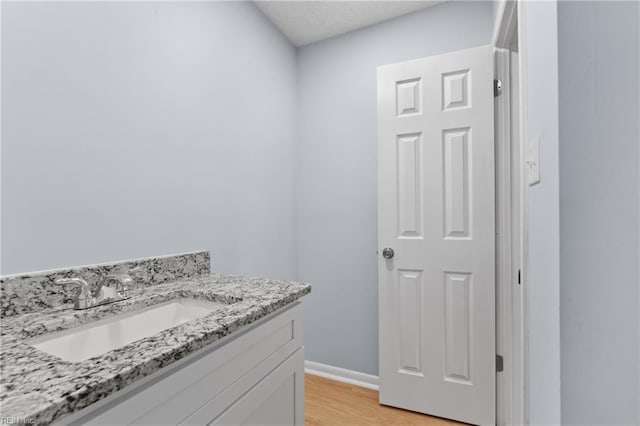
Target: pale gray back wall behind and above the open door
[{"x": 337, "y": 170}]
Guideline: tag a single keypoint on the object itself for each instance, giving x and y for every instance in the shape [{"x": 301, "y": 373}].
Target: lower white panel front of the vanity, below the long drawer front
[{"x": 277, "y": 399}]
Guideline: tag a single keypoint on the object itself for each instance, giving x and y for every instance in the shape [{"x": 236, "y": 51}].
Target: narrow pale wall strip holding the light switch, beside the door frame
[{"x": 538, "y": 35}]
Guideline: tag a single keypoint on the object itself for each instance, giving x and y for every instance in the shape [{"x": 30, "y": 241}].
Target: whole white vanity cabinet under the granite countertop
[{"x": 254, "y": 376}]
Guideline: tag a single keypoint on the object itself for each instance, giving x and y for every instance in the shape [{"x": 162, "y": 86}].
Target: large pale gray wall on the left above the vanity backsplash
[{"x": 139, "y": 129}]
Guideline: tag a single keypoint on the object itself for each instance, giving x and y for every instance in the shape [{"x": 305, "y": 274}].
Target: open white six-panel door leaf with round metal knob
[{"x": 436, "y": 212}]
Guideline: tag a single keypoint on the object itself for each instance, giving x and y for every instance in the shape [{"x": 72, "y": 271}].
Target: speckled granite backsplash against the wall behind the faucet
[{"x": 25, "y": 293}]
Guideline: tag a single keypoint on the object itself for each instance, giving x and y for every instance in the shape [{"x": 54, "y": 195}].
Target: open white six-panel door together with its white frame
[{"x": 452, "y": 311}]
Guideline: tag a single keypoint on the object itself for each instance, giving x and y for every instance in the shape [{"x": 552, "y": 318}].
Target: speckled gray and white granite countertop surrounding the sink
[{"x": 39, "y": 388}]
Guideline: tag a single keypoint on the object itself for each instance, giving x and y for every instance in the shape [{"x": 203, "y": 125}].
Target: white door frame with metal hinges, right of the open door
[{"x": 511, "y": 222}]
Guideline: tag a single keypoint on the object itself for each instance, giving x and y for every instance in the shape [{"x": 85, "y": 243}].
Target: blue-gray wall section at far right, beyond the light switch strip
[{"x": 599, "y": 187}]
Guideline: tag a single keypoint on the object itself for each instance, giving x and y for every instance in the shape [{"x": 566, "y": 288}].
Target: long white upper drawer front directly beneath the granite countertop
[{"x": 177, "y": 395}]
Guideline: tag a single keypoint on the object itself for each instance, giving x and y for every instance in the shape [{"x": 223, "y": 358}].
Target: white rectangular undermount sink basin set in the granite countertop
[{"x": 97, "y": 338}]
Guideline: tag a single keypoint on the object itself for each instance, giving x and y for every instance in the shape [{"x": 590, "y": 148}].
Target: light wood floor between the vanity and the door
[{"x": 331, "y": 403}]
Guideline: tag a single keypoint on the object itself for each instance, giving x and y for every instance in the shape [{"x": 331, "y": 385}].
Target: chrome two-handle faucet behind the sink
[{"x": 107, "y": 293}]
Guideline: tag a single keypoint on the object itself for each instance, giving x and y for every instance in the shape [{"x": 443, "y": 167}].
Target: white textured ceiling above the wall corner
[{"x": 304, "y": 22}]
